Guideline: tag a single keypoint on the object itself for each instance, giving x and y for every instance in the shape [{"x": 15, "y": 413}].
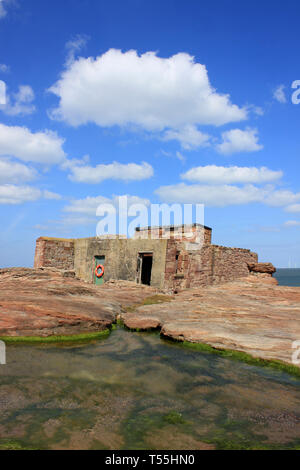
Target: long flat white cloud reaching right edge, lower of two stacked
[{"x": 222, "y": 195}]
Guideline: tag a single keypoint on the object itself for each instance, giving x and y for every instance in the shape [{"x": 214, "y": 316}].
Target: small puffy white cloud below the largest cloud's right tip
[{"x": 237, "y": 141}]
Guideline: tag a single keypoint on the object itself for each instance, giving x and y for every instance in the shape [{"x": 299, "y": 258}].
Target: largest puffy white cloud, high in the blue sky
[{"x": 152, "y": 93}]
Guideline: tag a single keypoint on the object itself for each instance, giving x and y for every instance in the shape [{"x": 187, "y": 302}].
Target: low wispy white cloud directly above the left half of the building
[{"x": 88, "y": 206}]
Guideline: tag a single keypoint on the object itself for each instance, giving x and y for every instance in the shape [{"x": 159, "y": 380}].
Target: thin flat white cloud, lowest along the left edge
[{"x": 12, "y": 194}]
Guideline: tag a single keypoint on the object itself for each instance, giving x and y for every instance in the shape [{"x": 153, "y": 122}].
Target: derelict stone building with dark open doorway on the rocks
[{"x": 169, "y": 258}]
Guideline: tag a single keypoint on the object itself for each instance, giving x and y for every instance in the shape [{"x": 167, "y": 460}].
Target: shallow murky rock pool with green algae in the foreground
[{"x": 135, "y": 391}]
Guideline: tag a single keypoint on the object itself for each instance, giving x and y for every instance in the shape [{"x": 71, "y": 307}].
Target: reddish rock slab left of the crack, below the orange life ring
[{"x": 46, "y": 302}]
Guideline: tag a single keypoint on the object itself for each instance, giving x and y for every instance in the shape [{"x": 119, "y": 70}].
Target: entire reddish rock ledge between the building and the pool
[{"x": 253, "y": 315}]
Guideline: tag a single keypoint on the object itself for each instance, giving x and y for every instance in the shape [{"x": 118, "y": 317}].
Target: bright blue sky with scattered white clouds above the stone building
[{"x": 169, "y": 101}]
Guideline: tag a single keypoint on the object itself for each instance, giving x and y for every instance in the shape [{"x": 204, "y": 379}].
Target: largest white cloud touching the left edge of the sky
[{"x": 40, "y": 147}]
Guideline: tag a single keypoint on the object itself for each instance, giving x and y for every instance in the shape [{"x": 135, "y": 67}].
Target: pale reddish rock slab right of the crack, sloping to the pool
[{"x": 253, "y": 315}]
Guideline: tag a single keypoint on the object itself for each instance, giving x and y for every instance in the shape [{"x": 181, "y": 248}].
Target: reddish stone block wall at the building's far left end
[{"x": 54, "y": 253}]
